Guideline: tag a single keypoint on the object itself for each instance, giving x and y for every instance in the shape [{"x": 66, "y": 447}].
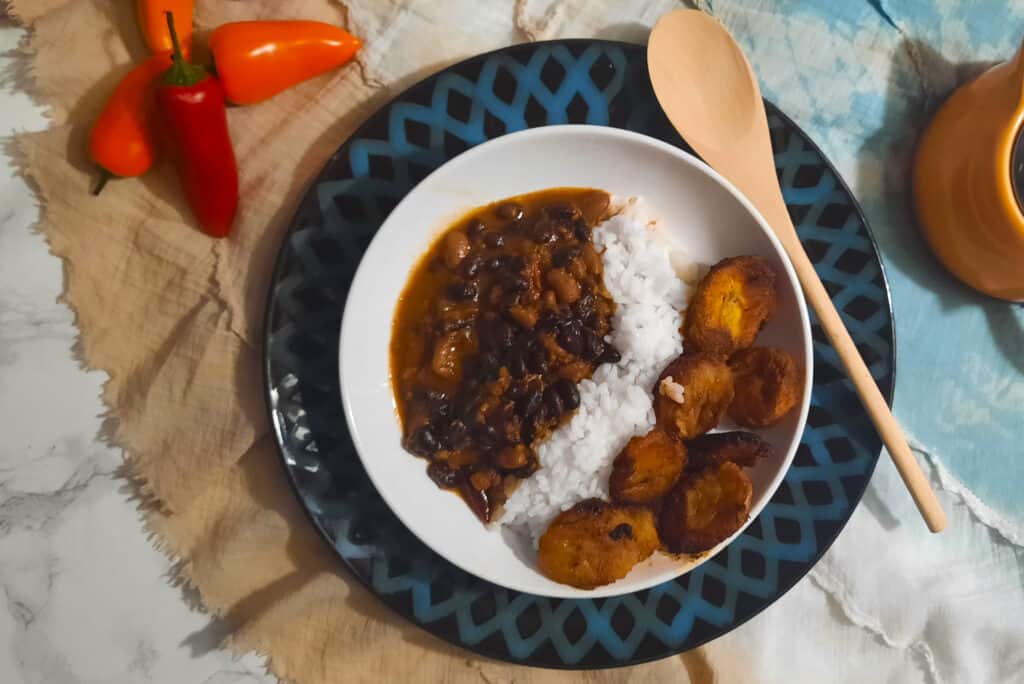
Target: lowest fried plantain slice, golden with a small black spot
[{"x": 595, "y": 543}]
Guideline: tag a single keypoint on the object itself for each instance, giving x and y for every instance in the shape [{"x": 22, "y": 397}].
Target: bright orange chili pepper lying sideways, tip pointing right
[{"x": 258, "y": 60}]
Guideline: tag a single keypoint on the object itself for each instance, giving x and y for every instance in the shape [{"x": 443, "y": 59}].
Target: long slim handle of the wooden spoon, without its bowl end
[{"x": 871, "y": 397}]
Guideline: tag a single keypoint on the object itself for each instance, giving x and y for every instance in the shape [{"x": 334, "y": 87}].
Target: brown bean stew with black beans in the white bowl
[{"x": 499, "y": 322}]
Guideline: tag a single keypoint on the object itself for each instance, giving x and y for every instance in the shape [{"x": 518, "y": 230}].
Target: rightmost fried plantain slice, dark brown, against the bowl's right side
[{"x": 769, "y": 386}]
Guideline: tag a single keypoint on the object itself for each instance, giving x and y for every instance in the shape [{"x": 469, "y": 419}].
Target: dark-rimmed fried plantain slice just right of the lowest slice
[{"x": 705, "y": 508}]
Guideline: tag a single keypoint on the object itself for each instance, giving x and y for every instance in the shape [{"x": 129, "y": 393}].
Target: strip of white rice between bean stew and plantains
[{"x": 616, "y": 404}]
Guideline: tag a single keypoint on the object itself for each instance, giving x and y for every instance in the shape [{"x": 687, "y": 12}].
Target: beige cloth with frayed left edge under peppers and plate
[{"x": 175, "y": 319}]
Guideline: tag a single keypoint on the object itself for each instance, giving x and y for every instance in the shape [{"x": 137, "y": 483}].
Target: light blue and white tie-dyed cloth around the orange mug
[{"x": 863, "y": 77}]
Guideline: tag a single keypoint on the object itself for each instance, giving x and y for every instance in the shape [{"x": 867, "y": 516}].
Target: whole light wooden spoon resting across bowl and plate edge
[{"x": 709, "y": 92}]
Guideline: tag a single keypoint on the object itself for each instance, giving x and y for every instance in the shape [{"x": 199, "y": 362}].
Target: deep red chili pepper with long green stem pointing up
[{"x": 192, "y": 103}]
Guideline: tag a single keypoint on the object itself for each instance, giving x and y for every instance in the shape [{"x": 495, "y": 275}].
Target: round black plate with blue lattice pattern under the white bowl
[{"x": 573, "y": 81}]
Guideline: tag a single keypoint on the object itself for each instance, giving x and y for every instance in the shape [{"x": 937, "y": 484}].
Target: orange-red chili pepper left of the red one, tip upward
[{"x": 124, "y": 139}]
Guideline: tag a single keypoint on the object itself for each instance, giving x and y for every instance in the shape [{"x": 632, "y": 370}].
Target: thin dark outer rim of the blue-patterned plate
[{"x": 269, "y": 391}]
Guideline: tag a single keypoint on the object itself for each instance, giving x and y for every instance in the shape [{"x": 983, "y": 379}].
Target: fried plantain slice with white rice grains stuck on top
[{"x": 705, "y": 386}]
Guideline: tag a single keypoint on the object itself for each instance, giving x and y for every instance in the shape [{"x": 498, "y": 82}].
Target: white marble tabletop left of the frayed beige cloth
[{"x": 86, "y": 596}]
